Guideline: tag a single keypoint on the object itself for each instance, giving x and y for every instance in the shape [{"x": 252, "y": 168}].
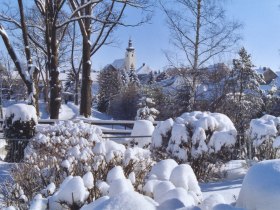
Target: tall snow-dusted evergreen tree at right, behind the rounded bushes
[{"x": 243, "y": 101}]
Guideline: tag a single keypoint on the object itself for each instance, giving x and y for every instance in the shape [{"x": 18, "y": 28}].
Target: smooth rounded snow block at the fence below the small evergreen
[{"x": 142, "y": 128}]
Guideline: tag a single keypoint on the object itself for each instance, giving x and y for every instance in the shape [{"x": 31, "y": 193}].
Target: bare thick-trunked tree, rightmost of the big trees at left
[{"x": 98, "y": 18}]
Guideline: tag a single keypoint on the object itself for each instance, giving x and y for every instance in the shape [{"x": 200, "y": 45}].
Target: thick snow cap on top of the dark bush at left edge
[{"x": 21, "y": 112}]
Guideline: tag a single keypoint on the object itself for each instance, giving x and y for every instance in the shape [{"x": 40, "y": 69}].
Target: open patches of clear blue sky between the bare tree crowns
[{"x": 261, "y": 36}]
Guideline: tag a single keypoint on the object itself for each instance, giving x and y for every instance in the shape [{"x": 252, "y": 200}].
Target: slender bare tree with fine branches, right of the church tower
[{"x": 200, "y": 31}]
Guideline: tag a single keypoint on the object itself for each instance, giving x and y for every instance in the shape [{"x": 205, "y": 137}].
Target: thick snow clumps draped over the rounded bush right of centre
[{"x": 188, "y": 134}]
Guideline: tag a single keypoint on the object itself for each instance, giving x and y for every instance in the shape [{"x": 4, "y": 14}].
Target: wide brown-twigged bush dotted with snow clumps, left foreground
[{"x": 70, "y": 154}]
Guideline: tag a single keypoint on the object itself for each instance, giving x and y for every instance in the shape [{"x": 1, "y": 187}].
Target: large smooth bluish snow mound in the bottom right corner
[{"x": 260, "y": 188}]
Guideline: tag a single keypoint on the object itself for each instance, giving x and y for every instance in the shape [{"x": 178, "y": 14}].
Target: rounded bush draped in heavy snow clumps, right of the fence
[{"x": 201, "y": 138}]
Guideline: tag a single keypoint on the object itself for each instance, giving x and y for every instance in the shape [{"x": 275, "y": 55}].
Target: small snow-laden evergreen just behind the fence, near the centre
[{"x": 146, "y": 110}]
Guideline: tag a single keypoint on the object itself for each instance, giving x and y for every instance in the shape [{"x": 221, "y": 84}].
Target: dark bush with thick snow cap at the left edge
[{"x": 20, "y": 121}]
